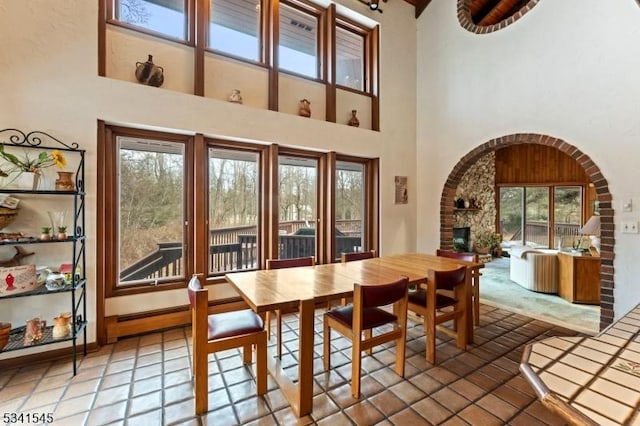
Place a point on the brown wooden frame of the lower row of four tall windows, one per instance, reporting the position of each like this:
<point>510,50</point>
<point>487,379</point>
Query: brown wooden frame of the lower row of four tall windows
<point>196,238</point>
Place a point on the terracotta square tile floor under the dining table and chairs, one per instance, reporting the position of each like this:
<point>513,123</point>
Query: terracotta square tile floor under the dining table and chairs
<point>146,380</point>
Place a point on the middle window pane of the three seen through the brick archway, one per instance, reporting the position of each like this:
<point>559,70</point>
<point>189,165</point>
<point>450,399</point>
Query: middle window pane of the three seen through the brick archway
<point>537,217</point>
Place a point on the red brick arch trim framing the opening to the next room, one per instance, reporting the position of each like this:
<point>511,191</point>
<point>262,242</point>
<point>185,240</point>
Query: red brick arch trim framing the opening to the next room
<point>596,177</point>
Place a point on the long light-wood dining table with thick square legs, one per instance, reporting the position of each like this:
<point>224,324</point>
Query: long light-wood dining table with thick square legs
<point>307,286</point>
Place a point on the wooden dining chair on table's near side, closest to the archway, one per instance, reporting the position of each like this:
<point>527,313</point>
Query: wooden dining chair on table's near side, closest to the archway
<point>444,289</point>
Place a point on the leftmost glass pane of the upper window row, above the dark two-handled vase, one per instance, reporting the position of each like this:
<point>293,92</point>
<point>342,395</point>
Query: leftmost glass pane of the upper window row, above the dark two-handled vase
<point>163,16</point>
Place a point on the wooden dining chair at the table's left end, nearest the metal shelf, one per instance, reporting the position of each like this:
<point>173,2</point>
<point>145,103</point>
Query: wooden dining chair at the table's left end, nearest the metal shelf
<point>220,332</point>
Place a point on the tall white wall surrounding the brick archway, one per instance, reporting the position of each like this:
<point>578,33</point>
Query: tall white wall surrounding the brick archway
<point>569,69</point>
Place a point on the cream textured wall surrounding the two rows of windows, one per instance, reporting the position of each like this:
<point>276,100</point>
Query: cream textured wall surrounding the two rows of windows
<point>49,82</point>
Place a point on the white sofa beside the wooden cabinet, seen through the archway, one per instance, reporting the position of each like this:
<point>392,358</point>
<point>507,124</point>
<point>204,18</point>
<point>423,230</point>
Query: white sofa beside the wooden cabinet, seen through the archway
<point>534,269</point>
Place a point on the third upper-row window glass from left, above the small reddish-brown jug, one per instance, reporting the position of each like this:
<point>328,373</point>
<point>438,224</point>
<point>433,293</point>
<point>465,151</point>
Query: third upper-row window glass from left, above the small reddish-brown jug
<point>298,49</point>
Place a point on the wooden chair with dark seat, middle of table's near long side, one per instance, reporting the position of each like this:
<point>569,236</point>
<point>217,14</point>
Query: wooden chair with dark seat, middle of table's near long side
<point>365,314</point>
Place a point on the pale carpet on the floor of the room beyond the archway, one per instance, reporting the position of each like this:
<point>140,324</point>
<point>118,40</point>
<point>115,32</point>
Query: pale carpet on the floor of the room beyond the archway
<point>496,289</point>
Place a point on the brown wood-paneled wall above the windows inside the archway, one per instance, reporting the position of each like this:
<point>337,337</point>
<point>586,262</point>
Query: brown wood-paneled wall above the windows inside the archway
<point>530,164</point>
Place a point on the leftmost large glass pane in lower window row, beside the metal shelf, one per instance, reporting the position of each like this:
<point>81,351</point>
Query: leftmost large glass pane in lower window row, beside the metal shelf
<point>151,202</point>
